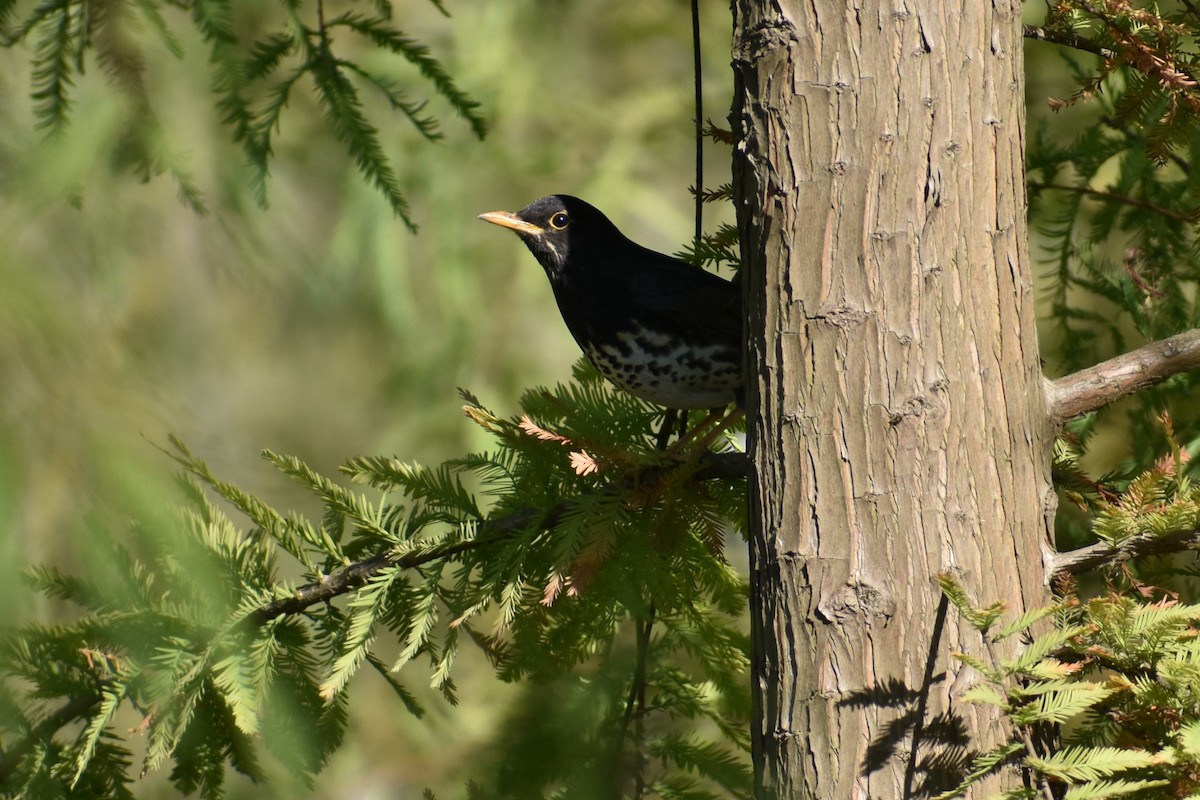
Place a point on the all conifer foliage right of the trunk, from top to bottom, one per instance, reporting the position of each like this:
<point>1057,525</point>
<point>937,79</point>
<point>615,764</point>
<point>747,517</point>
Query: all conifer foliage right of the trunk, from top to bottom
<point>1101,700</point>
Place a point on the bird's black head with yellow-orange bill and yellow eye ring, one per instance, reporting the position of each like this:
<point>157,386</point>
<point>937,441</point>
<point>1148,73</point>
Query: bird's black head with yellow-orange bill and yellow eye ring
<point>561,230</point>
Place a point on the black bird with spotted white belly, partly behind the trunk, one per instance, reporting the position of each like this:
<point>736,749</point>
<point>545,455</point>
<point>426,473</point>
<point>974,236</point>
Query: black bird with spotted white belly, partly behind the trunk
<point>658,328</point>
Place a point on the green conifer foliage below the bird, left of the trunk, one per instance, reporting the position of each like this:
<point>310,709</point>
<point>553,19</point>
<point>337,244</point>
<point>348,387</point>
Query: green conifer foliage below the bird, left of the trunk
<point>574,554</point>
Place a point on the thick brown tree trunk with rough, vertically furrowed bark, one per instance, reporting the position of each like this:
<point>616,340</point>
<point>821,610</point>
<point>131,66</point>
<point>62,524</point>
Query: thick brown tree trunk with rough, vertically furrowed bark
<point>898,426</point>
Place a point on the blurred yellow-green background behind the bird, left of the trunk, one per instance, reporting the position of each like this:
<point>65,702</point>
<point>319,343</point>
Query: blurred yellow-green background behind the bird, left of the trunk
<point>320,327</point>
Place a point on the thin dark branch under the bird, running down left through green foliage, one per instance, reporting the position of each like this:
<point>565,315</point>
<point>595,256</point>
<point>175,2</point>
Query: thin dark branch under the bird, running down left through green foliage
<point>725,466</point>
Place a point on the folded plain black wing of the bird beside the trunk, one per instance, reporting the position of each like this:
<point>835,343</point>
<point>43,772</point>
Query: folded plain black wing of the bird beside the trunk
<point>688,298</point>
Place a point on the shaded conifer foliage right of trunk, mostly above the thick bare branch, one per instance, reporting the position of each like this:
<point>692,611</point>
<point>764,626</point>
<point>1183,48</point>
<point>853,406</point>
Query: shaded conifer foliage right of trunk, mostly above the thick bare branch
<point>1115,203</point>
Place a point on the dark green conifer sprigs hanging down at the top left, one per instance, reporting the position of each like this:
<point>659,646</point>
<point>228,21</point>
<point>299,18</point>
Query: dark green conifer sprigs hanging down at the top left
<point>254,79</point>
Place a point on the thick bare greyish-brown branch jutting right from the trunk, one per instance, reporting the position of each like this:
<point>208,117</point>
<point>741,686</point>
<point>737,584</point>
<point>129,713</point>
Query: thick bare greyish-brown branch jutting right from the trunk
<point>1111,381</point>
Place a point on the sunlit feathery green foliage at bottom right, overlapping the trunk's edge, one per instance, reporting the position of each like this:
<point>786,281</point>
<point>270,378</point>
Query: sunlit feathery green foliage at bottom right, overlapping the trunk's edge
<point>1107,688</point>
